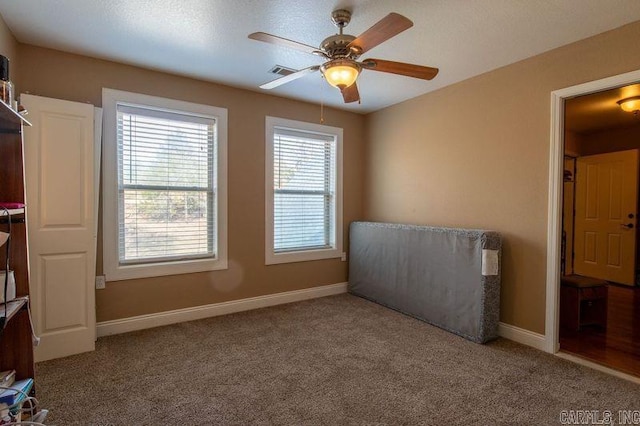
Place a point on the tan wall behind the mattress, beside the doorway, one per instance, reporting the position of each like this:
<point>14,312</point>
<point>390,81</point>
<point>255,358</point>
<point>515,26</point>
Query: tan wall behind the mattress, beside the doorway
<point>476,154</point>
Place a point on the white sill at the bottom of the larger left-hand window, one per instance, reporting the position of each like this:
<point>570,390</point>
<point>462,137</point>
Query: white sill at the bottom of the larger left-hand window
<point>150,270</point>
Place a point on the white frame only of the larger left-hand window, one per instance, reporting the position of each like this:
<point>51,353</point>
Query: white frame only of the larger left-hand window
<point>113,269</point>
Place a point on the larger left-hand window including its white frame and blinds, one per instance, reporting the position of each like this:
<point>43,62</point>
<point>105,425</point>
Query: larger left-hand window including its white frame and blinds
<point>164,186</point>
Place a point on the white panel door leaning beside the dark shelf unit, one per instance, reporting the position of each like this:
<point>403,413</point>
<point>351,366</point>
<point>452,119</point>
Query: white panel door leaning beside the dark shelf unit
<point>59,174</point>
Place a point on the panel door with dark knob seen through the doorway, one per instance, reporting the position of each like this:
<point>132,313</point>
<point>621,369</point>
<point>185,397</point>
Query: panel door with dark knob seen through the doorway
<point>605,222</point>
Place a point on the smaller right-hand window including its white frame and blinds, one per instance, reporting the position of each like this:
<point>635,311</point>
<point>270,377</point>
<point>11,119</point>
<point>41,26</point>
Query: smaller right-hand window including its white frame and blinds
<point>304,191</point>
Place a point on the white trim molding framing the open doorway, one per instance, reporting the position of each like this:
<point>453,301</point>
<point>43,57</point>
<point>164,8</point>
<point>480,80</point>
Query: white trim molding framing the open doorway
<point>554,217</point>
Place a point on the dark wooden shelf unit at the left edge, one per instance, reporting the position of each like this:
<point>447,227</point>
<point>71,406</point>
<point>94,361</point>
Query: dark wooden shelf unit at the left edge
<point>16,346</point>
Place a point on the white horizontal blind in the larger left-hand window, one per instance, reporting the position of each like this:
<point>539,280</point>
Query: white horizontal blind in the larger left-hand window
<point>166,185</point>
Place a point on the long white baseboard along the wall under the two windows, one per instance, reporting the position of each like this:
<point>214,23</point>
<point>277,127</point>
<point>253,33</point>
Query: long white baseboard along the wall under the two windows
<point>124,325</point>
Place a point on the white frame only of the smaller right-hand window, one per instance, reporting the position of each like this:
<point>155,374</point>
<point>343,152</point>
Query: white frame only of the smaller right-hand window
<point>271,257</point>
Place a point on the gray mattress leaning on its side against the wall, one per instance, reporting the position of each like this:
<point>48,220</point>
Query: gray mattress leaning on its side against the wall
<point>447,277</point>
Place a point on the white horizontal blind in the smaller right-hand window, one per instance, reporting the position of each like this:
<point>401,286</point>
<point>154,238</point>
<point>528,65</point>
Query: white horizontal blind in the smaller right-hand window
<point>304,190</point>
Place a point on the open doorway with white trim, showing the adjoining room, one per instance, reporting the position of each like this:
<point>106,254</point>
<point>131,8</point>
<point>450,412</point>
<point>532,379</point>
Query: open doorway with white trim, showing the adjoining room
<point>593,302</point>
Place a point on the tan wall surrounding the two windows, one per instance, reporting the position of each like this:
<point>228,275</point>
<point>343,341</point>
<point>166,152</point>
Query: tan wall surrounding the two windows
<point>59,75</point>
